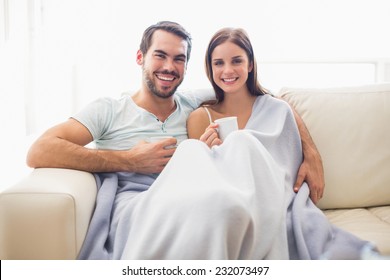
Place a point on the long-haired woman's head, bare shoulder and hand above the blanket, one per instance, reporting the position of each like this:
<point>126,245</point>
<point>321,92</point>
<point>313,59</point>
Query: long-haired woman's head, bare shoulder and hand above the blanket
<point>232,70</point>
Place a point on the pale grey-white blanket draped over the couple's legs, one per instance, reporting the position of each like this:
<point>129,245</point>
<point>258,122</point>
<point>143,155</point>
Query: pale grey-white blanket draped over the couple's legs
<point>234,201</point>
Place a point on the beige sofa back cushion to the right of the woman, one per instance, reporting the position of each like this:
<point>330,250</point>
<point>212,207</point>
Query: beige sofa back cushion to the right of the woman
<point>351,128</point>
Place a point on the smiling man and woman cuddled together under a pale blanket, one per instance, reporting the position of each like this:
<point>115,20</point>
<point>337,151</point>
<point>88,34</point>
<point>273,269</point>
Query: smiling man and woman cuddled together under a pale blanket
<point>241,199</point>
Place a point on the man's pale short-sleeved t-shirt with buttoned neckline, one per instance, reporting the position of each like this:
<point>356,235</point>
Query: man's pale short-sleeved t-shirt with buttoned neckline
<point>119,124</point>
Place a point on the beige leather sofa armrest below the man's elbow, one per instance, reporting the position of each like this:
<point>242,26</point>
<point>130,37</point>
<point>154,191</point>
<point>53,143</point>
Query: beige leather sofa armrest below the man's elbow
<point>47,214</point>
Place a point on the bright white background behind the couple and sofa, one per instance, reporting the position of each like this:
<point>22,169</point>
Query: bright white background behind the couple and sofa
<point>54,59</point>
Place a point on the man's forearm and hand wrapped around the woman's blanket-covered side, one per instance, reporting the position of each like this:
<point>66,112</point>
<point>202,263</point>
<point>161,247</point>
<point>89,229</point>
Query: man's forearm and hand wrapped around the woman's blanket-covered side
<point>311,169</point>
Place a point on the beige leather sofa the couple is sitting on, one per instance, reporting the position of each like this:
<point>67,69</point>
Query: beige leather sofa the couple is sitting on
<point>46,215</point>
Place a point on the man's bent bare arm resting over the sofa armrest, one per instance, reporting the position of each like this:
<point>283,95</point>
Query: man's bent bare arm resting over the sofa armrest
<point>63,147</point>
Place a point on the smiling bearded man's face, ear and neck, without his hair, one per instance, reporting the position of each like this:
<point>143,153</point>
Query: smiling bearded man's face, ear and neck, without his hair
<point>163,65</point>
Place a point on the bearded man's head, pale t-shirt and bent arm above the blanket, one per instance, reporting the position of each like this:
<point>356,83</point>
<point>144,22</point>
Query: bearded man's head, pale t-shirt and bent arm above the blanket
<point>120,128</point>
